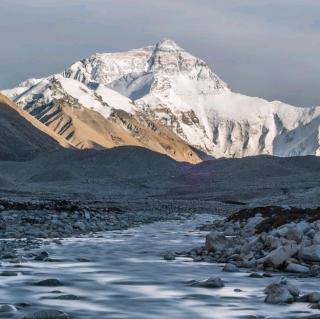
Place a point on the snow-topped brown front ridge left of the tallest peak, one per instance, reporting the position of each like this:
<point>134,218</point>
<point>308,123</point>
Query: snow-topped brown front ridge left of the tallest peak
<point>100,118</point>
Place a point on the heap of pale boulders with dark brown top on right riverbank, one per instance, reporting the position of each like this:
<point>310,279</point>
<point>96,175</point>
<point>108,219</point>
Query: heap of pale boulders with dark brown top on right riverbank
<point>265,239</point>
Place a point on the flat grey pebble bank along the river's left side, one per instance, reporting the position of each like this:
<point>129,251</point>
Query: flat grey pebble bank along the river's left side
<point>26,225</point>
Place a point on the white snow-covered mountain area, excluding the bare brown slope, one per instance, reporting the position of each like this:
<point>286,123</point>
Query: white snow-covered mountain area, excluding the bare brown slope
<point>168,86</point>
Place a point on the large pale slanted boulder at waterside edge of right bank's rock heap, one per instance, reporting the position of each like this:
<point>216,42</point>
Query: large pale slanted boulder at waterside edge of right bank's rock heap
<point>280,255</point>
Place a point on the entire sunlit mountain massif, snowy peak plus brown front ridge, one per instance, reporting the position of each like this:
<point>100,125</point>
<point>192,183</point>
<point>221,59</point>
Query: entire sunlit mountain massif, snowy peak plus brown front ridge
<point>163,98</point>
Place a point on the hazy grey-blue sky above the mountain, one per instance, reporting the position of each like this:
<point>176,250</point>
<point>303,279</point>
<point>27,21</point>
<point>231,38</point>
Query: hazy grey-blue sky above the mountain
<point>266,48</point>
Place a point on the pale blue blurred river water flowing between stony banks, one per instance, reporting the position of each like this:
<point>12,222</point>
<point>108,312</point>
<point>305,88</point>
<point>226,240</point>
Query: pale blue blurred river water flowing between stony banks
<point>121,274</point>
